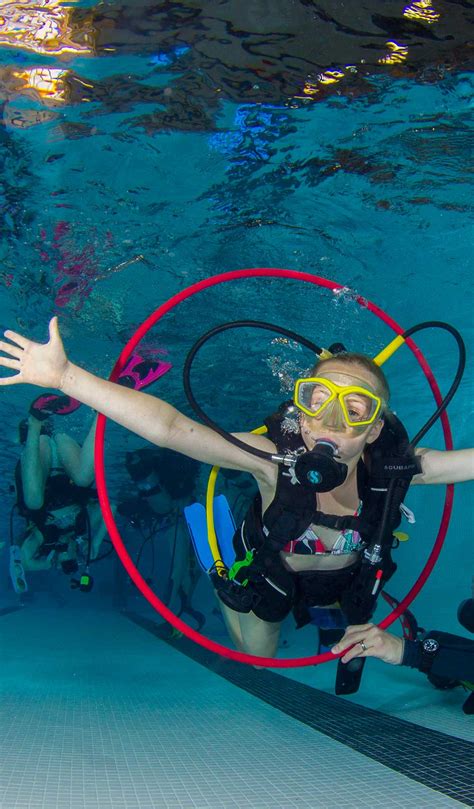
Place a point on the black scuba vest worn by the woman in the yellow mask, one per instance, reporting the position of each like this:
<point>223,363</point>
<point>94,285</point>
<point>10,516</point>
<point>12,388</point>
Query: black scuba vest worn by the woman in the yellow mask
<point>382,478</point>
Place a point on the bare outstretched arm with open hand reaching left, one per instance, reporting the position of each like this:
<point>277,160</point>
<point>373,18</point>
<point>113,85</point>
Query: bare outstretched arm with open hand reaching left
<point>151,418</point>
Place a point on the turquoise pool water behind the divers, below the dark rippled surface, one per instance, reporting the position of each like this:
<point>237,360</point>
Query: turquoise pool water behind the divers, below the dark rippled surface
<point>145,172</point>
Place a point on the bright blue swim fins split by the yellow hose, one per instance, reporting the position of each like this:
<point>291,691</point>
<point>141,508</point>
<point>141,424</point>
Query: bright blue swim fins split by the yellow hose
<point>224,524</point>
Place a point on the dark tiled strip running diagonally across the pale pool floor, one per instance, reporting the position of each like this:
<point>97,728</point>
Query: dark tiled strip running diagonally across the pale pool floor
<point>434,759</point>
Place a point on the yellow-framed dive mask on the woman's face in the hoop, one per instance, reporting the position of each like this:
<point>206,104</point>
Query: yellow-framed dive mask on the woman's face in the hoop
<point>316,396</point>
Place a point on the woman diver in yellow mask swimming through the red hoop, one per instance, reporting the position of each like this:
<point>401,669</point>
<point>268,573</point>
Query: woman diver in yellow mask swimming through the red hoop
<point>301,554</point>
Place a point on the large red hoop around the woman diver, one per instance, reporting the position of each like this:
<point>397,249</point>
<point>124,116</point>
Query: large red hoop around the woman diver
<point>127,562</point>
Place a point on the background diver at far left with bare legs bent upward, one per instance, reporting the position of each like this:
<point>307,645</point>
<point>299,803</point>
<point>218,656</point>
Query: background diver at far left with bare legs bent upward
<point>53,482</point>
